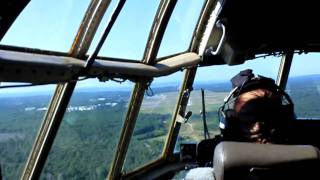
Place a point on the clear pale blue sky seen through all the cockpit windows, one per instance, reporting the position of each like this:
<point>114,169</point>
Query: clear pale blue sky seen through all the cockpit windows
<point>52,25</point>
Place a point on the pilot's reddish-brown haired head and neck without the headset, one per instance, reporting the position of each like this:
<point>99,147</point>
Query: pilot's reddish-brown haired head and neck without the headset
<point>256,110</point>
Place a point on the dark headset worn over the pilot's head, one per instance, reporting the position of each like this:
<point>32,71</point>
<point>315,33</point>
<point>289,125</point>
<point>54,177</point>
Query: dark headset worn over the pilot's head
<point>230,120</point>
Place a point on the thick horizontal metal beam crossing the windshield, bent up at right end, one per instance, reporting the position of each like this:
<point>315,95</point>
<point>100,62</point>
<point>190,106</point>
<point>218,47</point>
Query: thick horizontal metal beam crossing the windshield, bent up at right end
<point>34,68</point>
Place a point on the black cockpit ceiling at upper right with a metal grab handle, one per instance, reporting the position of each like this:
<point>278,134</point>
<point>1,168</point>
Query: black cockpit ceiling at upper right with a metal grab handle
<point>247,29</point>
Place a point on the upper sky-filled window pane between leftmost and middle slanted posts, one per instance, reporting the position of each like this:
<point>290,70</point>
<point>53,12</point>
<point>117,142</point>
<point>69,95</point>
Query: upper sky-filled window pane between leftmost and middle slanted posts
<point>129,34</point>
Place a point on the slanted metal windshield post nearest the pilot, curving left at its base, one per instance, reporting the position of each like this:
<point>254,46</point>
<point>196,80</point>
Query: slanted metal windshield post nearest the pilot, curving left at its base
<point>167,152</point>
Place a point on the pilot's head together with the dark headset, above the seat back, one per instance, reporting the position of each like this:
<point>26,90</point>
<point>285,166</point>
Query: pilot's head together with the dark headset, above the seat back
<point>257,110</point>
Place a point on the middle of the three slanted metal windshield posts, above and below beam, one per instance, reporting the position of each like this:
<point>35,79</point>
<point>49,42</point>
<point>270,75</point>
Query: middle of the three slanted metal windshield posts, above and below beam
<point>156,34</point>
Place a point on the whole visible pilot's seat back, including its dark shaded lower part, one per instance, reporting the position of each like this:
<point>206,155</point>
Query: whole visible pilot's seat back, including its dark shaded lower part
<point>241,160</point>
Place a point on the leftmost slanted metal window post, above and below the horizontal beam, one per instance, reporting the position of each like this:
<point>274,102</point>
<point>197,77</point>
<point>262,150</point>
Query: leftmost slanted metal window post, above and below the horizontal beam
<point>63,92</point>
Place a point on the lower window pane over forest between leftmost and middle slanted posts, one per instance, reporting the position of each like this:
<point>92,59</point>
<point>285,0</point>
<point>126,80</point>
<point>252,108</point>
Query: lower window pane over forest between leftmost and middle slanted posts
<point>86,140</point>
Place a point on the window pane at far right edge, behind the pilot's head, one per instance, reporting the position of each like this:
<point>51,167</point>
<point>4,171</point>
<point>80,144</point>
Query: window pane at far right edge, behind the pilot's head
<point>304,85</point>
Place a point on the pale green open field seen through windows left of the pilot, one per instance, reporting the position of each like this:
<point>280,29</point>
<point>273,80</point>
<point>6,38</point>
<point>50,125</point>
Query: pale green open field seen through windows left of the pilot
<point>193,130</point>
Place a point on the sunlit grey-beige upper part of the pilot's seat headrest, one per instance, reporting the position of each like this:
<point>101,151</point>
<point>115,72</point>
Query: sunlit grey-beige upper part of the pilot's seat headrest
<point>232,155</point>
